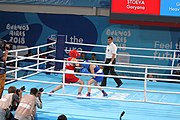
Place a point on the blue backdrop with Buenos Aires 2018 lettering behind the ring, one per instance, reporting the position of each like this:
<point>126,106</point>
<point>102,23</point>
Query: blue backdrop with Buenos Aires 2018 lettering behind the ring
<point>31,29</point>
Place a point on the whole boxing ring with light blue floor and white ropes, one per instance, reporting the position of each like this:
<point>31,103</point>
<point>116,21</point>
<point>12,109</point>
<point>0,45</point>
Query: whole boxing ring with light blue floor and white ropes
<point>139,96</point>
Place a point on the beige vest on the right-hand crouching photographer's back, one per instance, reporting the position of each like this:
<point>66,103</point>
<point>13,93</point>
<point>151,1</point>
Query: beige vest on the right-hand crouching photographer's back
<point>26,106</point>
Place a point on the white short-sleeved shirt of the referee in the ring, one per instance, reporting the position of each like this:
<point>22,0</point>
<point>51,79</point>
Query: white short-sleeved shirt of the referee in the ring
<point>110,50</point>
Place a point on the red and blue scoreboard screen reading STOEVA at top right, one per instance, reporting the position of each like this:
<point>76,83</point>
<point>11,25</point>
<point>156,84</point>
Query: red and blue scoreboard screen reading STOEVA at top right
<point>146,12</point>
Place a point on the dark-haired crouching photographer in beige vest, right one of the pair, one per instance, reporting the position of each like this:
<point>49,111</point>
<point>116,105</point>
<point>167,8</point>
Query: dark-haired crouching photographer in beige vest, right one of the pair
<point>27,107</point>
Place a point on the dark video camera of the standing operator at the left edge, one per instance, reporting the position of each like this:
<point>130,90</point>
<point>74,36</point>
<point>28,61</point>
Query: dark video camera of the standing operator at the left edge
<point>5,45</point>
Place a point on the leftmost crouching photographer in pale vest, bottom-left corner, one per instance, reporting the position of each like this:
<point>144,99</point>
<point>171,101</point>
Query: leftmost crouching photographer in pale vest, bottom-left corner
<point>8,102</point>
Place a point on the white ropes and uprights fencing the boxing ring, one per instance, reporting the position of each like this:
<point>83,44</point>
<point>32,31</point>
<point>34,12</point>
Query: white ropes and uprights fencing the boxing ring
<point>143,77</point>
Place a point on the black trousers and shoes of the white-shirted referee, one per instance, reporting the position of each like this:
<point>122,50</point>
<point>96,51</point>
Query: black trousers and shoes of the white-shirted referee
<point>110,69</point>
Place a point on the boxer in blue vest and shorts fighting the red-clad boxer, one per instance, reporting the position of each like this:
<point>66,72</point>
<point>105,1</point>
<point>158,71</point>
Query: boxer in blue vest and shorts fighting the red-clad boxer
<point>93,69</point>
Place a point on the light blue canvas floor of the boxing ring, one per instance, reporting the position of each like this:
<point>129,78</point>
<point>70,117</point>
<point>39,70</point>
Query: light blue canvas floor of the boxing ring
<point>104,109</point>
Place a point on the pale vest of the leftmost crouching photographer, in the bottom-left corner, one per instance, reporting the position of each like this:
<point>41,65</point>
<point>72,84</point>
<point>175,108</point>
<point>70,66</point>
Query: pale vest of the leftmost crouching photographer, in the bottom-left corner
<point>6,101</point>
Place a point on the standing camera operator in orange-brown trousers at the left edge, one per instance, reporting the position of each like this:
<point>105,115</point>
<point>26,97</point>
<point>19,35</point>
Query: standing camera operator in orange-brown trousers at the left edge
<point>3,58</point>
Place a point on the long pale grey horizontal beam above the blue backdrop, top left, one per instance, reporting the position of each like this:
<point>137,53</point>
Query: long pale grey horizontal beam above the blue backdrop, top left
<point>55,9</point>
